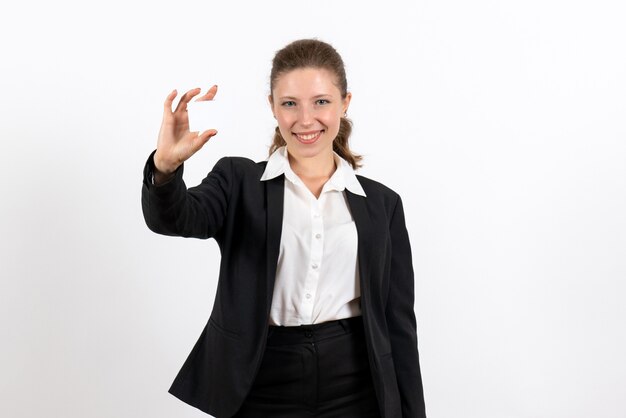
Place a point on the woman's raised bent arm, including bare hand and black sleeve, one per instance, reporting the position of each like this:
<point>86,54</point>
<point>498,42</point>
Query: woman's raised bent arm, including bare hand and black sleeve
<point>168,207</point>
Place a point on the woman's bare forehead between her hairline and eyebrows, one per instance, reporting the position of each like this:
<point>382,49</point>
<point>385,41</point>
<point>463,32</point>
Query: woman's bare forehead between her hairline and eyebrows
<point>306,81</point>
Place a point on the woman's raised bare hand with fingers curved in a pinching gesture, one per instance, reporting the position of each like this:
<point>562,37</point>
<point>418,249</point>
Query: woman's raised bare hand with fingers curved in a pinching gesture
<point>176,143</point>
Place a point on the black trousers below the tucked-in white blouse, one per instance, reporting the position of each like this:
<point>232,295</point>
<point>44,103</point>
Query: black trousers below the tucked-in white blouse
<point>316,370</point>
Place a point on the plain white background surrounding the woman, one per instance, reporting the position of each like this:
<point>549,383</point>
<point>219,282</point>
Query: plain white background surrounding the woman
<point>500,123</point>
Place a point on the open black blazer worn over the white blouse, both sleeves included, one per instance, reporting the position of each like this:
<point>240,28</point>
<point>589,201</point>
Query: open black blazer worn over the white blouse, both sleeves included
<point>244,215</point>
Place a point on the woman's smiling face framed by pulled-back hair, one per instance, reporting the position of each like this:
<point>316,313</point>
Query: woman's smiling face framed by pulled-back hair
<point>308,107</point>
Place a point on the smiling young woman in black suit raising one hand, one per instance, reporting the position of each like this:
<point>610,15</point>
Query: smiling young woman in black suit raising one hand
<point>313,315</point>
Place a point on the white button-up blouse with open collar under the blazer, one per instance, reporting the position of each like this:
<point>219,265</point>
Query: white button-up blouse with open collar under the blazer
<point>317,277</point>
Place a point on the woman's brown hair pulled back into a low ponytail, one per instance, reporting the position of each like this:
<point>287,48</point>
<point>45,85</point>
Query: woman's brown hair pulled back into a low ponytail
<point>311,53</point>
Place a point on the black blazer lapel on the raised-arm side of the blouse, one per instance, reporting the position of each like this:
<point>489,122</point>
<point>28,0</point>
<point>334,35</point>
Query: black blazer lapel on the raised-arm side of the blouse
<point>275,200</point>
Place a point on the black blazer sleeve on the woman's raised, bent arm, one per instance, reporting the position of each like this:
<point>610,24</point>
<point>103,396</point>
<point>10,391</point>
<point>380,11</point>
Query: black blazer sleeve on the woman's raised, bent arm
<point>198,212</point>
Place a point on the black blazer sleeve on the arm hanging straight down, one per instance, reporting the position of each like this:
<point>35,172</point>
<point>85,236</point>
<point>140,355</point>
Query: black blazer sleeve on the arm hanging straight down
<point>401,318</point>
